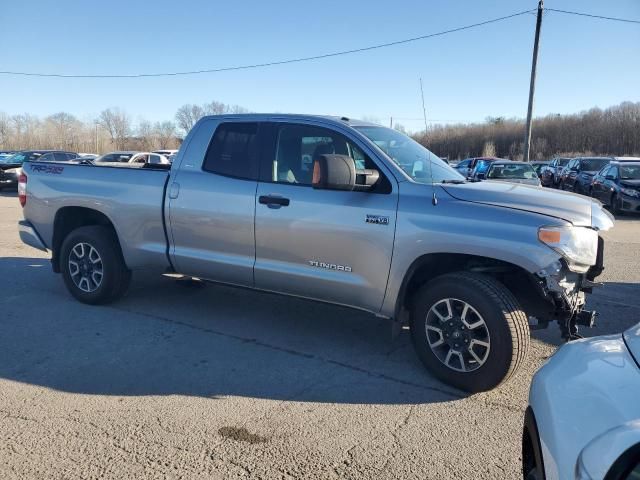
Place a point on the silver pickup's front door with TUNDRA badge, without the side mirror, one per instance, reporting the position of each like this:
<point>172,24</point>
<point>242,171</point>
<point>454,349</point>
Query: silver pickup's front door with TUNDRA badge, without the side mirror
<point>323,244</point>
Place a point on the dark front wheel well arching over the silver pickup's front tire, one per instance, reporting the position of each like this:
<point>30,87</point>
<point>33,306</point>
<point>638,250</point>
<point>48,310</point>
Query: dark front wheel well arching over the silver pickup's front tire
<point>515,278</point>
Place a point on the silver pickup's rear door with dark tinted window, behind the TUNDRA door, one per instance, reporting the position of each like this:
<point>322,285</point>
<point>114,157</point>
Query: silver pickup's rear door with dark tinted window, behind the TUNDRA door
<point>212,203</point>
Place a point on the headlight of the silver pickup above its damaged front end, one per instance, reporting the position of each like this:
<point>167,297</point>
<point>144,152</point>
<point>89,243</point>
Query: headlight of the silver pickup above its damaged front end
<point>579,245</point>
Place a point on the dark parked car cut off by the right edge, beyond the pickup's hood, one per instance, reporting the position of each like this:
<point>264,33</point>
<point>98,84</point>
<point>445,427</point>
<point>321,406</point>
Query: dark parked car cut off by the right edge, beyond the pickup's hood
<point>617,186</point>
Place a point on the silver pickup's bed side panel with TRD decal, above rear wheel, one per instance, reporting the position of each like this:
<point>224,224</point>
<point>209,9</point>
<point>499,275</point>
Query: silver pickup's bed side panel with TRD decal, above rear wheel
<point>130,198</point>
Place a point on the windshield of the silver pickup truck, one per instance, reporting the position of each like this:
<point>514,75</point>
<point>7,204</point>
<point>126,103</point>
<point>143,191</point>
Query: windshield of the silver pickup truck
<point>415,160</point>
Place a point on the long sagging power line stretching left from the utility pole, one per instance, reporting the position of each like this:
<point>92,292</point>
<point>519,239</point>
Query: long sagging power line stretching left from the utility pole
<point>273,63</point>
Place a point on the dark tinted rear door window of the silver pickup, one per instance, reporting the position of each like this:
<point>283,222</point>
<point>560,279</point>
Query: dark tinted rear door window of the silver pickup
<point>233,151</point>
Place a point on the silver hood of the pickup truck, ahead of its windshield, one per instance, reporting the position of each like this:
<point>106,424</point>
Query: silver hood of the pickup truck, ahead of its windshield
<point>574,208</point>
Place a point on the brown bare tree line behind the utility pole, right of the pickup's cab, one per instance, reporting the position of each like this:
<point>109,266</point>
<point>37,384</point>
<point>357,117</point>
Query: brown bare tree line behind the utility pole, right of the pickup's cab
<point>610,131</point>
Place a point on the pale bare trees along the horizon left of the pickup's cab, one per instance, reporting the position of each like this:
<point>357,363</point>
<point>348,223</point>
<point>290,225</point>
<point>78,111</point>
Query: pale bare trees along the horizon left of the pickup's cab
<point>112,129</point>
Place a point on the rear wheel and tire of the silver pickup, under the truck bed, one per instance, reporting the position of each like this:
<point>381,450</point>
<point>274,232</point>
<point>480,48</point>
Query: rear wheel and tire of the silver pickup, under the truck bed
<point>92,265</point>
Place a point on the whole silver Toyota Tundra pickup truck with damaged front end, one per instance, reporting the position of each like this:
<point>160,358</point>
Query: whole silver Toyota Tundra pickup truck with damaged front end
<point>335,210</point>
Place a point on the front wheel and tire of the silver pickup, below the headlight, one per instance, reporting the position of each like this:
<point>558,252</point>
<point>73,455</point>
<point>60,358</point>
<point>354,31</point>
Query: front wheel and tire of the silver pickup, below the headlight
<point>483,347</point>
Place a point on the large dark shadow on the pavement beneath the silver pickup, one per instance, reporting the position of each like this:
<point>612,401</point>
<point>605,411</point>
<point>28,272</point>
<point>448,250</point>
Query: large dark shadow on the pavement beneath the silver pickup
<point>166,339</point>
